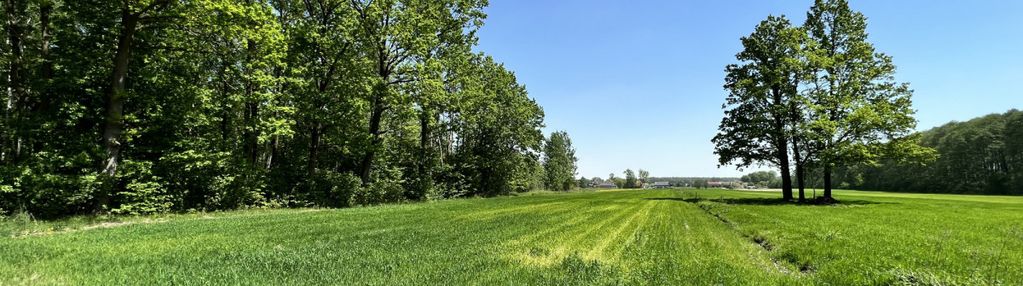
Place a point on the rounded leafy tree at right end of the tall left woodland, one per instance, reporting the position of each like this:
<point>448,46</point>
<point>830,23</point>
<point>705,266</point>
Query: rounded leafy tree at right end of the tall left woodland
<point>499,130</point>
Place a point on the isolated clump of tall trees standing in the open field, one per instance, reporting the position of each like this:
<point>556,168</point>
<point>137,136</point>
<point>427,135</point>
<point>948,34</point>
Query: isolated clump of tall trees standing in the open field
<point>815,99</point>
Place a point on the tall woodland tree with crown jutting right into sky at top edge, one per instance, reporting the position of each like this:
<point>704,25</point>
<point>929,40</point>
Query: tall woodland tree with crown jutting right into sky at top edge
<point>401,35</point>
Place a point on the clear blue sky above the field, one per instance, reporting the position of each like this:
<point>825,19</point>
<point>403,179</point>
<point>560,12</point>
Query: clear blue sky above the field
<point>638,84</point>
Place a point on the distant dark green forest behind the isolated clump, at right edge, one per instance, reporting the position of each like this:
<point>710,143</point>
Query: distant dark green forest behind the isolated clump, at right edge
<point>984,156</point>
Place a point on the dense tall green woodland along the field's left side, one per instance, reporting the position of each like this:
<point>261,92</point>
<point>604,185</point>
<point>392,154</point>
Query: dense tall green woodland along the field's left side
<point>135,107</point>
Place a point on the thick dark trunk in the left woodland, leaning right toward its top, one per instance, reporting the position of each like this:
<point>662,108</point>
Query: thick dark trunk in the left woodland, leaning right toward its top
<point>113,125</point>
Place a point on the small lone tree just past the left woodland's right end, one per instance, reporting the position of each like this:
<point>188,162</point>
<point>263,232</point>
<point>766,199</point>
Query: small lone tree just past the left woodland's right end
<point>559,162</point>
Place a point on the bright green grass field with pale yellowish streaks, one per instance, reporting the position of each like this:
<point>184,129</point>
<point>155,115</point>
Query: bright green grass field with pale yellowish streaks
<point>607,237</point>
